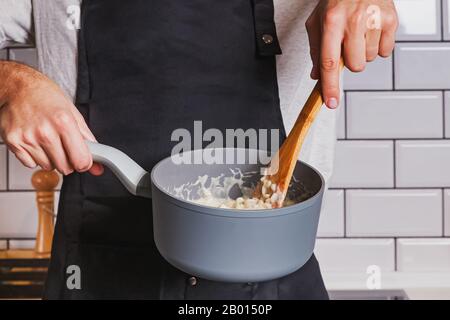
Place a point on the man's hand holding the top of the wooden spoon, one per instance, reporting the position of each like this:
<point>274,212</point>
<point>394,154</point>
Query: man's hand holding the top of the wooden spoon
<point>362,29</point>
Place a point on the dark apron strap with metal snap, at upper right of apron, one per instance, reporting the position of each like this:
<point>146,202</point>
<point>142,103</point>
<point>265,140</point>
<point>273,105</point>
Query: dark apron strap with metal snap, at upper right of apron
<point>265,30</point>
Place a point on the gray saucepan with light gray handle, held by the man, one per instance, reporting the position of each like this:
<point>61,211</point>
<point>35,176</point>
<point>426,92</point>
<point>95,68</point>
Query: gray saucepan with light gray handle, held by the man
<point>218,244</point>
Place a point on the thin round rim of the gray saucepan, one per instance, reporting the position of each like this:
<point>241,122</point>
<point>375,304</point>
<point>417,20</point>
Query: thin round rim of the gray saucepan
<point>235,213</point>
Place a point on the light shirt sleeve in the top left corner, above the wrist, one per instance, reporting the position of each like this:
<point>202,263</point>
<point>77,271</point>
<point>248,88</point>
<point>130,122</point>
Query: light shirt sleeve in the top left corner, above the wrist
<point>16,22</point>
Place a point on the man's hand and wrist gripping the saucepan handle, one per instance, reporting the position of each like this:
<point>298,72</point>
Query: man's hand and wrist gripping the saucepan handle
<point>40,125</point>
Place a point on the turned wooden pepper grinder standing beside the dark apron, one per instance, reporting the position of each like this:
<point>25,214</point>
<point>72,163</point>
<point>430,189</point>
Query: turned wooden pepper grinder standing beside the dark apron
<point>45,183</point>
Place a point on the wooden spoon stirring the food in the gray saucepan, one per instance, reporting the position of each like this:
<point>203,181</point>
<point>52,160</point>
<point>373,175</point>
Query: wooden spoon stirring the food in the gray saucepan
<point>283,163</point>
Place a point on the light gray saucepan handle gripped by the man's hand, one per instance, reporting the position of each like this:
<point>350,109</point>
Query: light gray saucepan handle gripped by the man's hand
<point>132,175</point>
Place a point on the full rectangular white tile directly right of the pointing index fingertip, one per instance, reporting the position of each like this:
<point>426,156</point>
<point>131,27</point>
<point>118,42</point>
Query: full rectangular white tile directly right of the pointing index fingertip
<point>376,115</point>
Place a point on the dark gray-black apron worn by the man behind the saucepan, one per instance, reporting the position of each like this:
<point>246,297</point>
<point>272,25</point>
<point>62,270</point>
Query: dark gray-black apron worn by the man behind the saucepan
<point>146,68</point>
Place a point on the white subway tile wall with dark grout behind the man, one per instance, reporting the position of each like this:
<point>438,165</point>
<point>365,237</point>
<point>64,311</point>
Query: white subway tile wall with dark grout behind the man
<point>392,173</point>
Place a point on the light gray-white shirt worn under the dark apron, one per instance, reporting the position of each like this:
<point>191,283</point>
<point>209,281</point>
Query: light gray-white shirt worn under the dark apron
<point>52,25</point>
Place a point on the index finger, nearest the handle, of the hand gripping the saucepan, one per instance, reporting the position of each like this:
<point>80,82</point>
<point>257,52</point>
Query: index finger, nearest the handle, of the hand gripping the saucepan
<point>76,148</point>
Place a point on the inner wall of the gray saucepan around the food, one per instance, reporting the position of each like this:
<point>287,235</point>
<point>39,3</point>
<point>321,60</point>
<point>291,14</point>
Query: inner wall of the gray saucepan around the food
<point>180,179</point>
